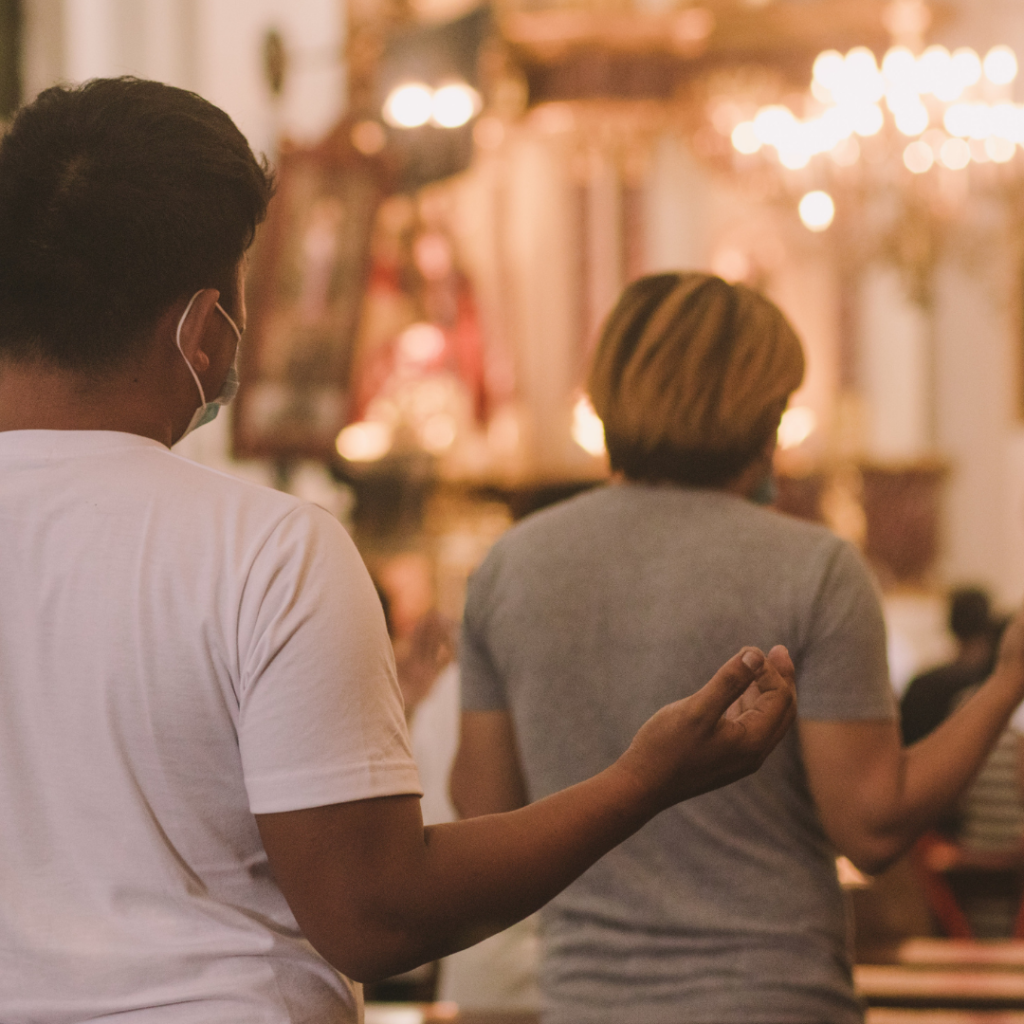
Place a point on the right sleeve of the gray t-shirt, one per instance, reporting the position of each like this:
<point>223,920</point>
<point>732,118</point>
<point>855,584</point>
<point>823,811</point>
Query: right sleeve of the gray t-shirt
<point>842,671</point>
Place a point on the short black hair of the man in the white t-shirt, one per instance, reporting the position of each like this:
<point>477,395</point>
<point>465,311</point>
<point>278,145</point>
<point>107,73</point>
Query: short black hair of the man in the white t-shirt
<point>118,198</point>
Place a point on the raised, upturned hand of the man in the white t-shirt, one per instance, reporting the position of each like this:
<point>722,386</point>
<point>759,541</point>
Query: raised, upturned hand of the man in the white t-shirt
<point>721,734</point>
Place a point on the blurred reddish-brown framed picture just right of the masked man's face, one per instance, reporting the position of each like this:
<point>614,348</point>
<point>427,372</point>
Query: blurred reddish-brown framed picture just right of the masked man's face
<point>306,290</point>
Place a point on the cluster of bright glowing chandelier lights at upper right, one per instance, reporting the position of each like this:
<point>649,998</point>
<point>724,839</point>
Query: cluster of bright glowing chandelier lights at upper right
<point>943,115</point>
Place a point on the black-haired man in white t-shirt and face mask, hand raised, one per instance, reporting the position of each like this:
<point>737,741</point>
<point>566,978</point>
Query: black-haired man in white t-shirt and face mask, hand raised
<point>203,755</point>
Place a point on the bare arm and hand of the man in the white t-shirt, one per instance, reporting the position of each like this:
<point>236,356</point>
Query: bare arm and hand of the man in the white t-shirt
<point>377,893</point>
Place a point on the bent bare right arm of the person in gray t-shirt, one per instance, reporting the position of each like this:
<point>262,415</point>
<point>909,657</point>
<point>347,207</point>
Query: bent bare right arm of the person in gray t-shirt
<point>875,797</point>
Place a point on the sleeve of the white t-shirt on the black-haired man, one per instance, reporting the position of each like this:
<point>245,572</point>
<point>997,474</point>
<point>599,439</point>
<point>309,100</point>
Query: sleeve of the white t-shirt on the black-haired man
<point>321,717</point>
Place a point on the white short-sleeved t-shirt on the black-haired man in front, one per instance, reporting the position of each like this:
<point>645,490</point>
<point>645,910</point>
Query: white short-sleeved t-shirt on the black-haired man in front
<point>179,651</point>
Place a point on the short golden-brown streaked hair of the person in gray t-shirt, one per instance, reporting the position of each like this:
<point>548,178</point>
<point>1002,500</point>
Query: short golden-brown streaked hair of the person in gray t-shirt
<point>691,377</point>
